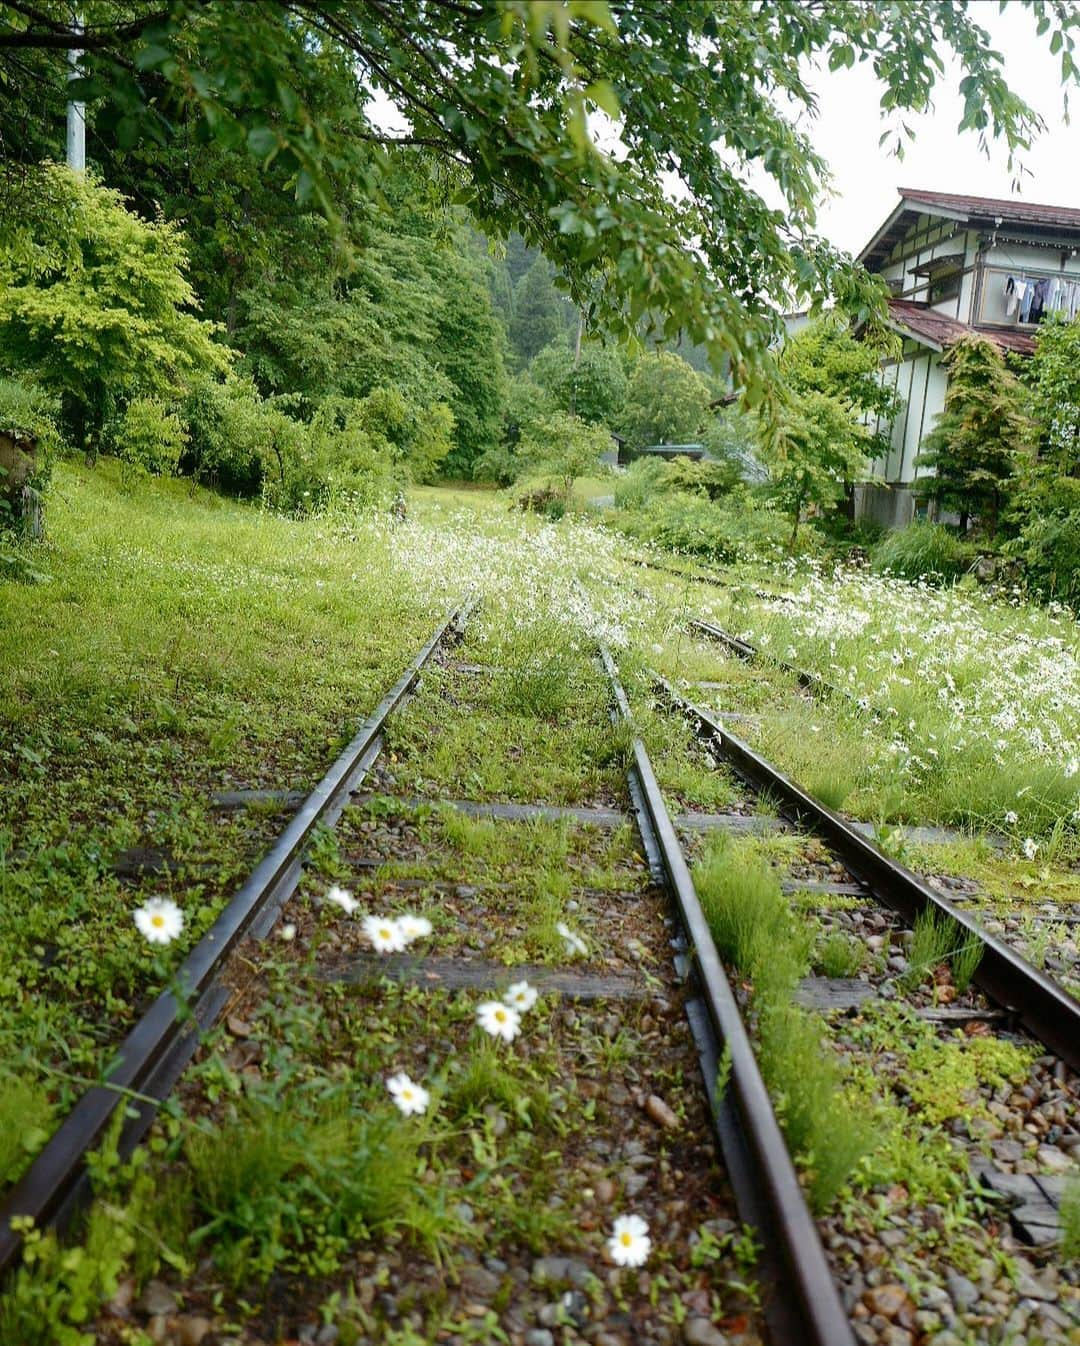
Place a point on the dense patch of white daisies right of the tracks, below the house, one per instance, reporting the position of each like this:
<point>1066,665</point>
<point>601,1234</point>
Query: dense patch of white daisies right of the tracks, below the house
<point>946,670</point>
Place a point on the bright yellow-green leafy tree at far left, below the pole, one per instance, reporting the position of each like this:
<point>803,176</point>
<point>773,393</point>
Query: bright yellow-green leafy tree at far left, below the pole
<point>95,302</point>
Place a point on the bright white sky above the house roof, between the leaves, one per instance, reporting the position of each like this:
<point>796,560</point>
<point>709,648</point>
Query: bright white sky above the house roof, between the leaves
<point>939,160</point>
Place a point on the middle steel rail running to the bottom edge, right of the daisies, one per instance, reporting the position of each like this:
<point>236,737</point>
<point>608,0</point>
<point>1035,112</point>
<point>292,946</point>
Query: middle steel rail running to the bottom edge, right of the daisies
<point>806,1308</point>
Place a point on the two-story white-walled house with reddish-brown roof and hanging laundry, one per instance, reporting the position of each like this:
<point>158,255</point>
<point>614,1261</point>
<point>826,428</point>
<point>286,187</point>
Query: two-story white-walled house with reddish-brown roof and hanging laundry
<point>955,266</point>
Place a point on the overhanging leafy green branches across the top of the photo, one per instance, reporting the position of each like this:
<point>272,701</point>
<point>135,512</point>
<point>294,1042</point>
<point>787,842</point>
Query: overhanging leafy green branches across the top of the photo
<point>500,94</point>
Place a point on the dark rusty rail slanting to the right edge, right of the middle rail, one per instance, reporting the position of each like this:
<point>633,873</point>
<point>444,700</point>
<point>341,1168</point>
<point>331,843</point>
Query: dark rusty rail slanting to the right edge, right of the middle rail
<point>1046,1009</point>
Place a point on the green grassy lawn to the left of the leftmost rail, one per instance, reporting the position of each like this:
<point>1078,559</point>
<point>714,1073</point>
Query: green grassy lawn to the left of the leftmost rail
<point>147,674</point>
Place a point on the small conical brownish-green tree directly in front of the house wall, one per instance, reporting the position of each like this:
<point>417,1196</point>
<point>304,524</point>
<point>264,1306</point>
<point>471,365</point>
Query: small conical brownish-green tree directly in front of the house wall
<point>981,435</point>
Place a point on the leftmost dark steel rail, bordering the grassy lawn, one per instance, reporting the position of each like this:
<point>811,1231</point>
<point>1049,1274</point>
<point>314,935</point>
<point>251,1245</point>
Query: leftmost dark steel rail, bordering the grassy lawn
<point>160,1047</point>
